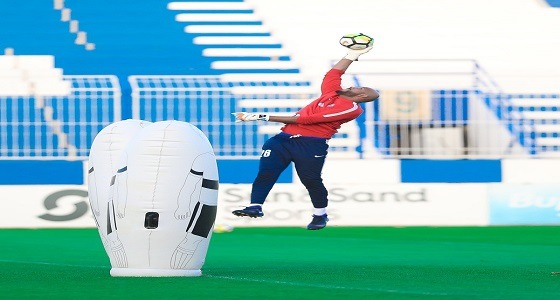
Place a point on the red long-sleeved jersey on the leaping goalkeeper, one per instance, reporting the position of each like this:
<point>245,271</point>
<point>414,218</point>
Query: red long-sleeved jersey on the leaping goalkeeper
<point>322,117</point>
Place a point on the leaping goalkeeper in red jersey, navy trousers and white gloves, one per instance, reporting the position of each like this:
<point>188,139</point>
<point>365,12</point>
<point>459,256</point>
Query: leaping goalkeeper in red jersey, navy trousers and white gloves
<point>304,140</point>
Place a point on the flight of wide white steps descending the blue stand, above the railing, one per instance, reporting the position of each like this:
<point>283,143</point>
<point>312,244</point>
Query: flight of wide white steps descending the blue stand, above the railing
<point>233,36</point>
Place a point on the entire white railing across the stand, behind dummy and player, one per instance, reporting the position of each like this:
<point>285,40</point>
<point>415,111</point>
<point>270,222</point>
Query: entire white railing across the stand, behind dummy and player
<point>425,111</point>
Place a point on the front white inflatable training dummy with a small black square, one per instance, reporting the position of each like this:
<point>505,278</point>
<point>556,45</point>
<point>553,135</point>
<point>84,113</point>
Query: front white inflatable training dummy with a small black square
<point>163,202</point>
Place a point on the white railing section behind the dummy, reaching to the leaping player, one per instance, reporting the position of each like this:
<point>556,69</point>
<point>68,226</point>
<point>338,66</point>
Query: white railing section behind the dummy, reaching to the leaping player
<point>208,101</point>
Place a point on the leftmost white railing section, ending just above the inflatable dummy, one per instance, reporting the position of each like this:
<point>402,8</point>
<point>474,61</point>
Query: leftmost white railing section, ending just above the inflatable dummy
<point>63,126</point>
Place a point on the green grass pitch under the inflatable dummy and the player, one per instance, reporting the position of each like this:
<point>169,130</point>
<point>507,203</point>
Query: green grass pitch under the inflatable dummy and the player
<point>293,263</point>
